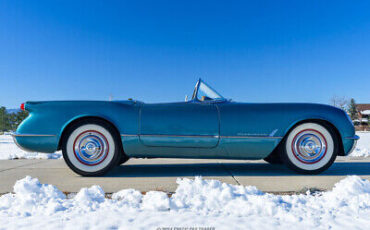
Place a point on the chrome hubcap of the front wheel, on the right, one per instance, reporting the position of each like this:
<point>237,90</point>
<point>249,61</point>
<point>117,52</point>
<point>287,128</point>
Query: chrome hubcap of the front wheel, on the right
<point>309,146</point>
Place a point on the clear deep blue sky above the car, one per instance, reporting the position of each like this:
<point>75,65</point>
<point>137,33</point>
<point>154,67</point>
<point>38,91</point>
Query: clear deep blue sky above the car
<point>154,51</point>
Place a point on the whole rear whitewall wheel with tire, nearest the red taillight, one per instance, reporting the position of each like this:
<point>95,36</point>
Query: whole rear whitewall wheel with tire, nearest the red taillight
<point>91,147</point>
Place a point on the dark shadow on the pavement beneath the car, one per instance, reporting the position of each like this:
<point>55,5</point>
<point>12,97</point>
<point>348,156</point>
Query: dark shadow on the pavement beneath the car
<point>227,169</point>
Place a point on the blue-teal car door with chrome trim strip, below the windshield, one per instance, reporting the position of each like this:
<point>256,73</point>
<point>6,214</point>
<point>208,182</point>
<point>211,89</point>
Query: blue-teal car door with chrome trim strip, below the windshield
<point>179,125</point>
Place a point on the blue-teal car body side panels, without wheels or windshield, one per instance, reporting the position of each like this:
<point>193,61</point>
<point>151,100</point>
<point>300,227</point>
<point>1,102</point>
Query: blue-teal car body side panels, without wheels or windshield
<point>192,129</point>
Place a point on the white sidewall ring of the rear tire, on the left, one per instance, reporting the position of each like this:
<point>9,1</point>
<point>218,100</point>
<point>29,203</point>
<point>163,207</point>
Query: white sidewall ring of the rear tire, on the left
<point>70,151</point>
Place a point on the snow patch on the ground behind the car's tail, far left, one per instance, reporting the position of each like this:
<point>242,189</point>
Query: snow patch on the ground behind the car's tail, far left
<point>9,150</point>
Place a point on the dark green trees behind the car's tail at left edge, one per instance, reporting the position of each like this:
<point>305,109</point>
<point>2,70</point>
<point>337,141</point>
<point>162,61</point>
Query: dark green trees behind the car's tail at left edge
<point>10,121</point>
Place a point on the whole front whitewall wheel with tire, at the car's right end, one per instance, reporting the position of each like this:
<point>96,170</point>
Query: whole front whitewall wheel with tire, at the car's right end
<point>310,148</point>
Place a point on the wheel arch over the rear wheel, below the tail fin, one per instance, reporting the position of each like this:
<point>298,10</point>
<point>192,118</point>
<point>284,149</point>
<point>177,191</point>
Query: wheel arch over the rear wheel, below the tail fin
<point>87,117</point>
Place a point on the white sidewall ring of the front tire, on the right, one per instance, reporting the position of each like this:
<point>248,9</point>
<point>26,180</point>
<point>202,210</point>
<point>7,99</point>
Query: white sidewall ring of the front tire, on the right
<point>329,152</point>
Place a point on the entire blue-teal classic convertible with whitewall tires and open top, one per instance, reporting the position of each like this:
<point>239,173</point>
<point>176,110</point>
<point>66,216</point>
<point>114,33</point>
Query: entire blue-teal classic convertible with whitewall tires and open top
<point>95,136</point>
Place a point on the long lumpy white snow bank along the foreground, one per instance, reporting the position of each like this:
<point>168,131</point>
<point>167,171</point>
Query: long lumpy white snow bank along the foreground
<point>196,203</point>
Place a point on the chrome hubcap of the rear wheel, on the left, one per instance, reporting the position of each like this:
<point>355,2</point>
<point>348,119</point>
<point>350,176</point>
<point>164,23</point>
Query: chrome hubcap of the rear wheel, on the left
<point>91,147</point>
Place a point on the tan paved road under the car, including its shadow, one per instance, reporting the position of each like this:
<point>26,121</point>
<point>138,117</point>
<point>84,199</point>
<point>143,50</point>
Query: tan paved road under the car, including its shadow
<point>161,174</point>
